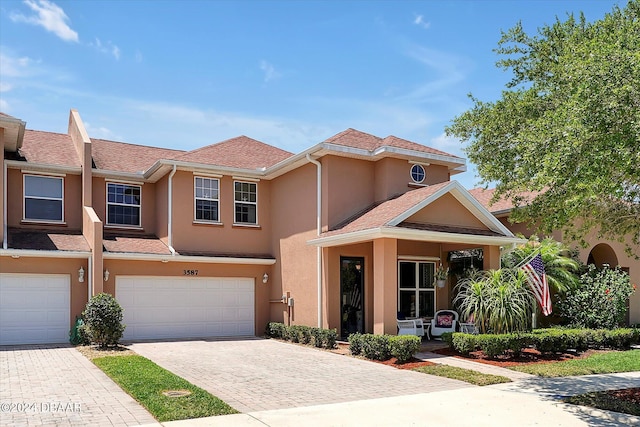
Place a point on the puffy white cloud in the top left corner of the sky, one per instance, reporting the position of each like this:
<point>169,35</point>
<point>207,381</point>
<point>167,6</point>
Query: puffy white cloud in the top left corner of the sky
<point>49,16</point>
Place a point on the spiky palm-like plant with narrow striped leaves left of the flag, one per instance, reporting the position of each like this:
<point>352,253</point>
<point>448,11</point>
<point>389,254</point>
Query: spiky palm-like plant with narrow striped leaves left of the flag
<point>499,301</point>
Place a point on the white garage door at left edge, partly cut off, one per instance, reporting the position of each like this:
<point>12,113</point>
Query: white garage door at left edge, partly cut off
<point>34,308</point>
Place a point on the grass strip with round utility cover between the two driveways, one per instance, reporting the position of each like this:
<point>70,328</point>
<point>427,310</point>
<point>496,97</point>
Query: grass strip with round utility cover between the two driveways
<point>145,381</point>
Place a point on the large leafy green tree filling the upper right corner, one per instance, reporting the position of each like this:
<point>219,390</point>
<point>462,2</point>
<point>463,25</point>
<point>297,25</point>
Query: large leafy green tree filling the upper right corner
<point>567,126</point>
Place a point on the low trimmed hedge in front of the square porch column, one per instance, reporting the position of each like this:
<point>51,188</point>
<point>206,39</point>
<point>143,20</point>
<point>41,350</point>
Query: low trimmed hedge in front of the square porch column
<point>383,347</point>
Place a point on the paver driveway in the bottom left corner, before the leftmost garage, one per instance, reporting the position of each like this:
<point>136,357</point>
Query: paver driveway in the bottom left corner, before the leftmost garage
<point>56,385</point>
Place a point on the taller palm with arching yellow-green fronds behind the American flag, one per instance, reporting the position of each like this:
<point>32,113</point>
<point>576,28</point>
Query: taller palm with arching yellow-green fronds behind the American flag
<point>560,266</point>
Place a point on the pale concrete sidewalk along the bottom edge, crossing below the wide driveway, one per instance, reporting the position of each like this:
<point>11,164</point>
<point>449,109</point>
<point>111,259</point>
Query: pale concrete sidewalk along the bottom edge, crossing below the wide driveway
<point>477,406</point>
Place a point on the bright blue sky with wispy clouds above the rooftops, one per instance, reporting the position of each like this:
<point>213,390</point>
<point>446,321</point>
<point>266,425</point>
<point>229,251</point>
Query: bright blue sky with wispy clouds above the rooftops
<point>184,74</point>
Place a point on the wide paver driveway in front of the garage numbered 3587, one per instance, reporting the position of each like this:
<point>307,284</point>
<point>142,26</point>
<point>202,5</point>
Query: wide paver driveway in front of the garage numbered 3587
<point>257,374</point>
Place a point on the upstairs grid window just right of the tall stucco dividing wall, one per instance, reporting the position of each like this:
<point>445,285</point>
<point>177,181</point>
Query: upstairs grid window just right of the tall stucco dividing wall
<point>123,204</point>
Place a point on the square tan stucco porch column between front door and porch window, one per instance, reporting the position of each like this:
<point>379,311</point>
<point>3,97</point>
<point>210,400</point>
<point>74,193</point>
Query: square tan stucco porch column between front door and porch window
<point>385,286</point>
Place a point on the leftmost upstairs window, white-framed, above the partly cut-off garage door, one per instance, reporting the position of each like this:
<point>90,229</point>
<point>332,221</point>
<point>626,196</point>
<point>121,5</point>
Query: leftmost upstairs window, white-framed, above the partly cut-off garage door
<point>43,198</point>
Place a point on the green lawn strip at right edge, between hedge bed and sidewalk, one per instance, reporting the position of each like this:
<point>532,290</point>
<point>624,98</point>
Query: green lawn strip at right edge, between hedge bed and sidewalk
<point>599,363</point>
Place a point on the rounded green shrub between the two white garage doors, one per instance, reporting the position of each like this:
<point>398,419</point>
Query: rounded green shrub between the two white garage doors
<point>103,317</point>
